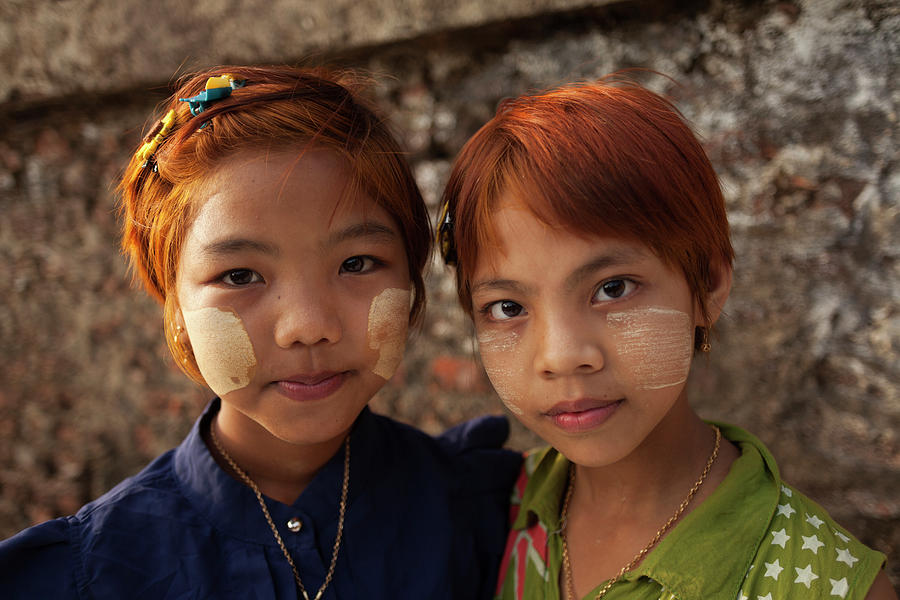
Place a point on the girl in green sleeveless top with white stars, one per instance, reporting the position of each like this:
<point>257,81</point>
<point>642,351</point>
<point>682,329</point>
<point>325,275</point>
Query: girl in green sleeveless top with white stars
<point>592,251</point>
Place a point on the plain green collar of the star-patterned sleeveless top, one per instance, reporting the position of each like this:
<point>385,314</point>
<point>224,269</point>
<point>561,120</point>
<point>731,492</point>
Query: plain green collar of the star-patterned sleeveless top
<point>735,517</point>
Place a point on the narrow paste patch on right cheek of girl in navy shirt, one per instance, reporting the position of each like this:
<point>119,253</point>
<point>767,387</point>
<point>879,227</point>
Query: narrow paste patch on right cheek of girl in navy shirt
<point>386,333</point>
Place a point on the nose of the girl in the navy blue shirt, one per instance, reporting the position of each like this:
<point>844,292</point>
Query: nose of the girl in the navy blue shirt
<point>306,315</point>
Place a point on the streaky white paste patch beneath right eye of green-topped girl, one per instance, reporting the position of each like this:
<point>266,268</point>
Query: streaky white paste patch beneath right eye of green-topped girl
<point>654,345</point>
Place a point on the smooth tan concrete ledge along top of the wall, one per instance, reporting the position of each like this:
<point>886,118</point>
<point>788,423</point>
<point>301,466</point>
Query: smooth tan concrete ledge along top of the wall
<point>51,48</point>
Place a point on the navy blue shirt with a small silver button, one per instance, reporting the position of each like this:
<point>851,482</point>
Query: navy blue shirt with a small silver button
<point>426,518</point>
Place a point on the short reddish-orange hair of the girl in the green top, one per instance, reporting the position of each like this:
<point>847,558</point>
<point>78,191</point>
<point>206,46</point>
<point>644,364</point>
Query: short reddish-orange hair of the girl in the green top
<point>604,158</point>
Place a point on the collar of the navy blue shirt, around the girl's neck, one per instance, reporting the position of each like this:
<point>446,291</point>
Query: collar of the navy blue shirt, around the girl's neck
<point>232,507</point>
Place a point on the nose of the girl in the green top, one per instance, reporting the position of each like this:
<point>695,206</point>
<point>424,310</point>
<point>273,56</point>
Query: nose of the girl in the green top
<point>568,346</point>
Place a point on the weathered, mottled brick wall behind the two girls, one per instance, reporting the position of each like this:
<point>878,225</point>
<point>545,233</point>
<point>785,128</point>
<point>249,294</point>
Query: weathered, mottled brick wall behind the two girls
<point>796,102</point>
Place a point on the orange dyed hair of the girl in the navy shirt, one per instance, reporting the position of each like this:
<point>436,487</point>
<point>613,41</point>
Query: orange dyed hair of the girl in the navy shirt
<point>278,108</point>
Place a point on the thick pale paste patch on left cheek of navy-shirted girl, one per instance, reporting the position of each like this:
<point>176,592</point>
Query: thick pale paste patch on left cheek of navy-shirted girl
<point>222,348</point>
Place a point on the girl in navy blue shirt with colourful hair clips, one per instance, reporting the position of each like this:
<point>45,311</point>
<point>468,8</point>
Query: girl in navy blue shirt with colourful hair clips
<point>273,215</point>
